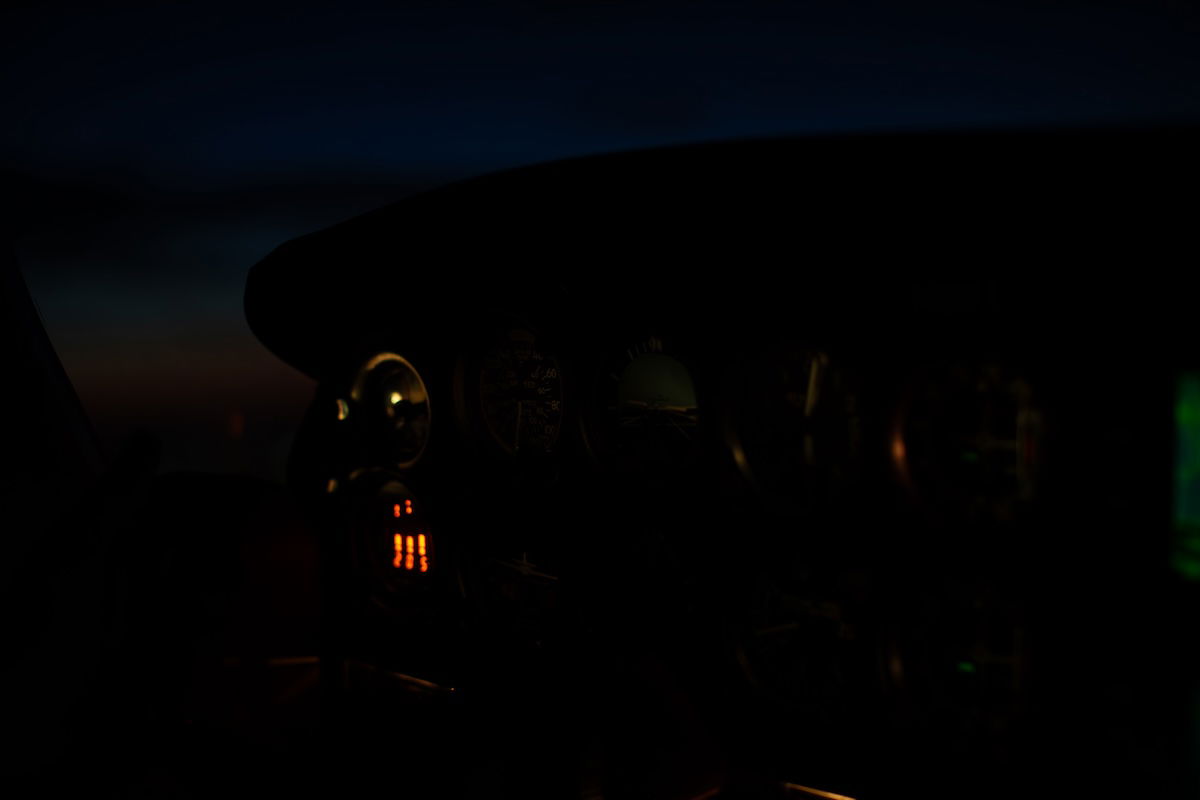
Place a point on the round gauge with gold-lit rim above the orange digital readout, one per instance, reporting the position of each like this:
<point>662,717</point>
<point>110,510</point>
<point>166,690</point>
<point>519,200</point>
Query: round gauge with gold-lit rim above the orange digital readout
<point>395,408</point>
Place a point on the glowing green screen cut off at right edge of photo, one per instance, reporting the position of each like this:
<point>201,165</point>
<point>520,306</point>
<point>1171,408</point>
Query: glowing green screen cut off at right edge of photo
<point>1186,548</point>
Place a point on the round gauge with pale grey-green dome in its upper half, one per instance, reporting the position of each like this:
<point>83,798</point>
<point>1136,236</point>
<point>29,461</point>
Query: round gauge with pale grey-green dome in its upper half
<point>652,408</point>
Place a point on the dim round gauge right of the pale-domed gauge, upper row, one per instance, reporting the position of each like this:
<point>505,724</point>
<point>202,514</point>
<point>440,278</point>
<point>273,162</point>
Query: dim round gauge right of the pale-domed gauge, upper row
<point>795,429</point>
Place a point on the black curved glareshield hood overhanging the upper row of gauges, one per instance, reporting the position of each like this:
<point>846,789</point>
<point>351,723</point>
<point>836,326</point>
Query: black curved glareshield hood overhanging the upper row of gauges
<point>869,213</point>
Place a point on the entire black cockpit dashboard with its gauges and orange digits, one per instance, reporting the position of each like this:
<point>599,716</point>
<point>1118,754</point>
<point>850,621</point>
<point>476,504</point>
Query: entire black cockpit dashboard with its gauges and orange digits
<point>820,467</point>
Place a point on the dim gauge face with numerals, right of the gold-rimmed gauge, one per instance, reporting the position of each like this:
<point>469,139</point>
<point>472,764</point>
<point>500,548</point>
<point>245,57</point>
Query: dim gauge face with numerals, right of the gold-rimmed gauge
<point>521,393</point>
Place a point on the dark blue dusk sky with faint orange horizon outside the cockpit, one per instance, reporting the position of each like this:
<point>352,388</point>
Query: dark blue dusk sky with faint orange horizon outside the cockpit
<point>155,152</point>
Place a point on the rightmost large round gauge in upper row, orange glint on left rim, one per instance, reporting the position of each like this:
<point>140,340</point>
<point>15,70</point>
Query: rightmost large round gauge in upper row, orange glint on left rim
<point>969,440</point>
